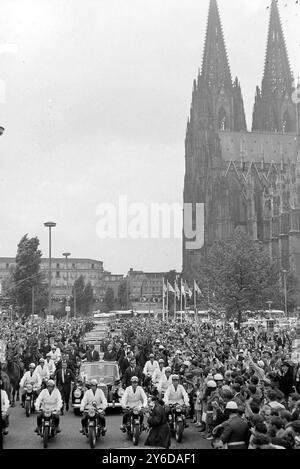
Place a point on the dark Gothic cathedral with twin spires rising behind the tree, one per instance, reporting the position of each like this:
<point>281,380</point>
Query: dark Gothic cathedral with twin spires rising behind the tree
<point>244,179</point>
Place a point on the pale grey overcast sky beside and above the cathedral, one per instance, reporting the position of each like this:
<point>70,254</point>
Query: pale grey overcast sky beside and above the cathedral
<point>94,99</point>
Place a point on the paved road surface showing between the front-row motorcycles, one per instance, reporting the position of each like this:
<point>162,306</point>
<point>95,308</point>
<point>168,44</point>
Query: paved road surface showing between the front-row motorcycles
<point>22,435</point>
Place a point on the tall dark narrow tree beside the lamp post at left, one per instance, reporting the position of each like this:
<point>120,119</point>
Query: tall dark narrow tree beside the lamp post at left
<point>27,276</point>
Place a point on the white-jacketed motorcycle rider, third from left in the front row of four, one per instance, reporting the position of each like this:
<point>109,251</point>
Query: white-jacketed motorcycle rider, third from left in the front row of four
<point>134,396</point>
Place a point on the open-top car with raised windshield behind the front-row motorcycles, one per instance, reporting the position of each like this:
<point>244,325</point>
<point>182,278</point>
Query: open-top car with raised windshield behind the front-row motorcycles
<point>108,377</point>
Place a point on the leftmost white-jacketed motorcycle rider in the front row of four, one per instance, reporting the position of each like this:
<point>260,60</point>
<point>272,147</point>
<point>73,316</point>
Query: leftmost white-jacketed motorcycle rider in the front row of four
<point>50,399</point>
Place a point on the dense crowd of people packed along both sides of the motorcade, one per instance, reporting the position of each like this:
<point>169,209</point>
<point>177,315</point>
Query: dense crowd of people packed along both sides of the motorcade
<point>240,387</point>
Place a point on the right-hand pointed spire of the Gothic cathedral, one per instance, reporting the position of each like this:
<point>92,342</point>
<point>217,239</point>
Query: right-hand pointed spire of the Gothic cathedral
<point>273,109</point>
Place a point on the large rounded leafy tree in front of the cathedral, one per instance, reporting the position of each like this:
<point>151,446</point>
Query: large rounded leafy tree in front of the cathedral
<point>241,275</point>
